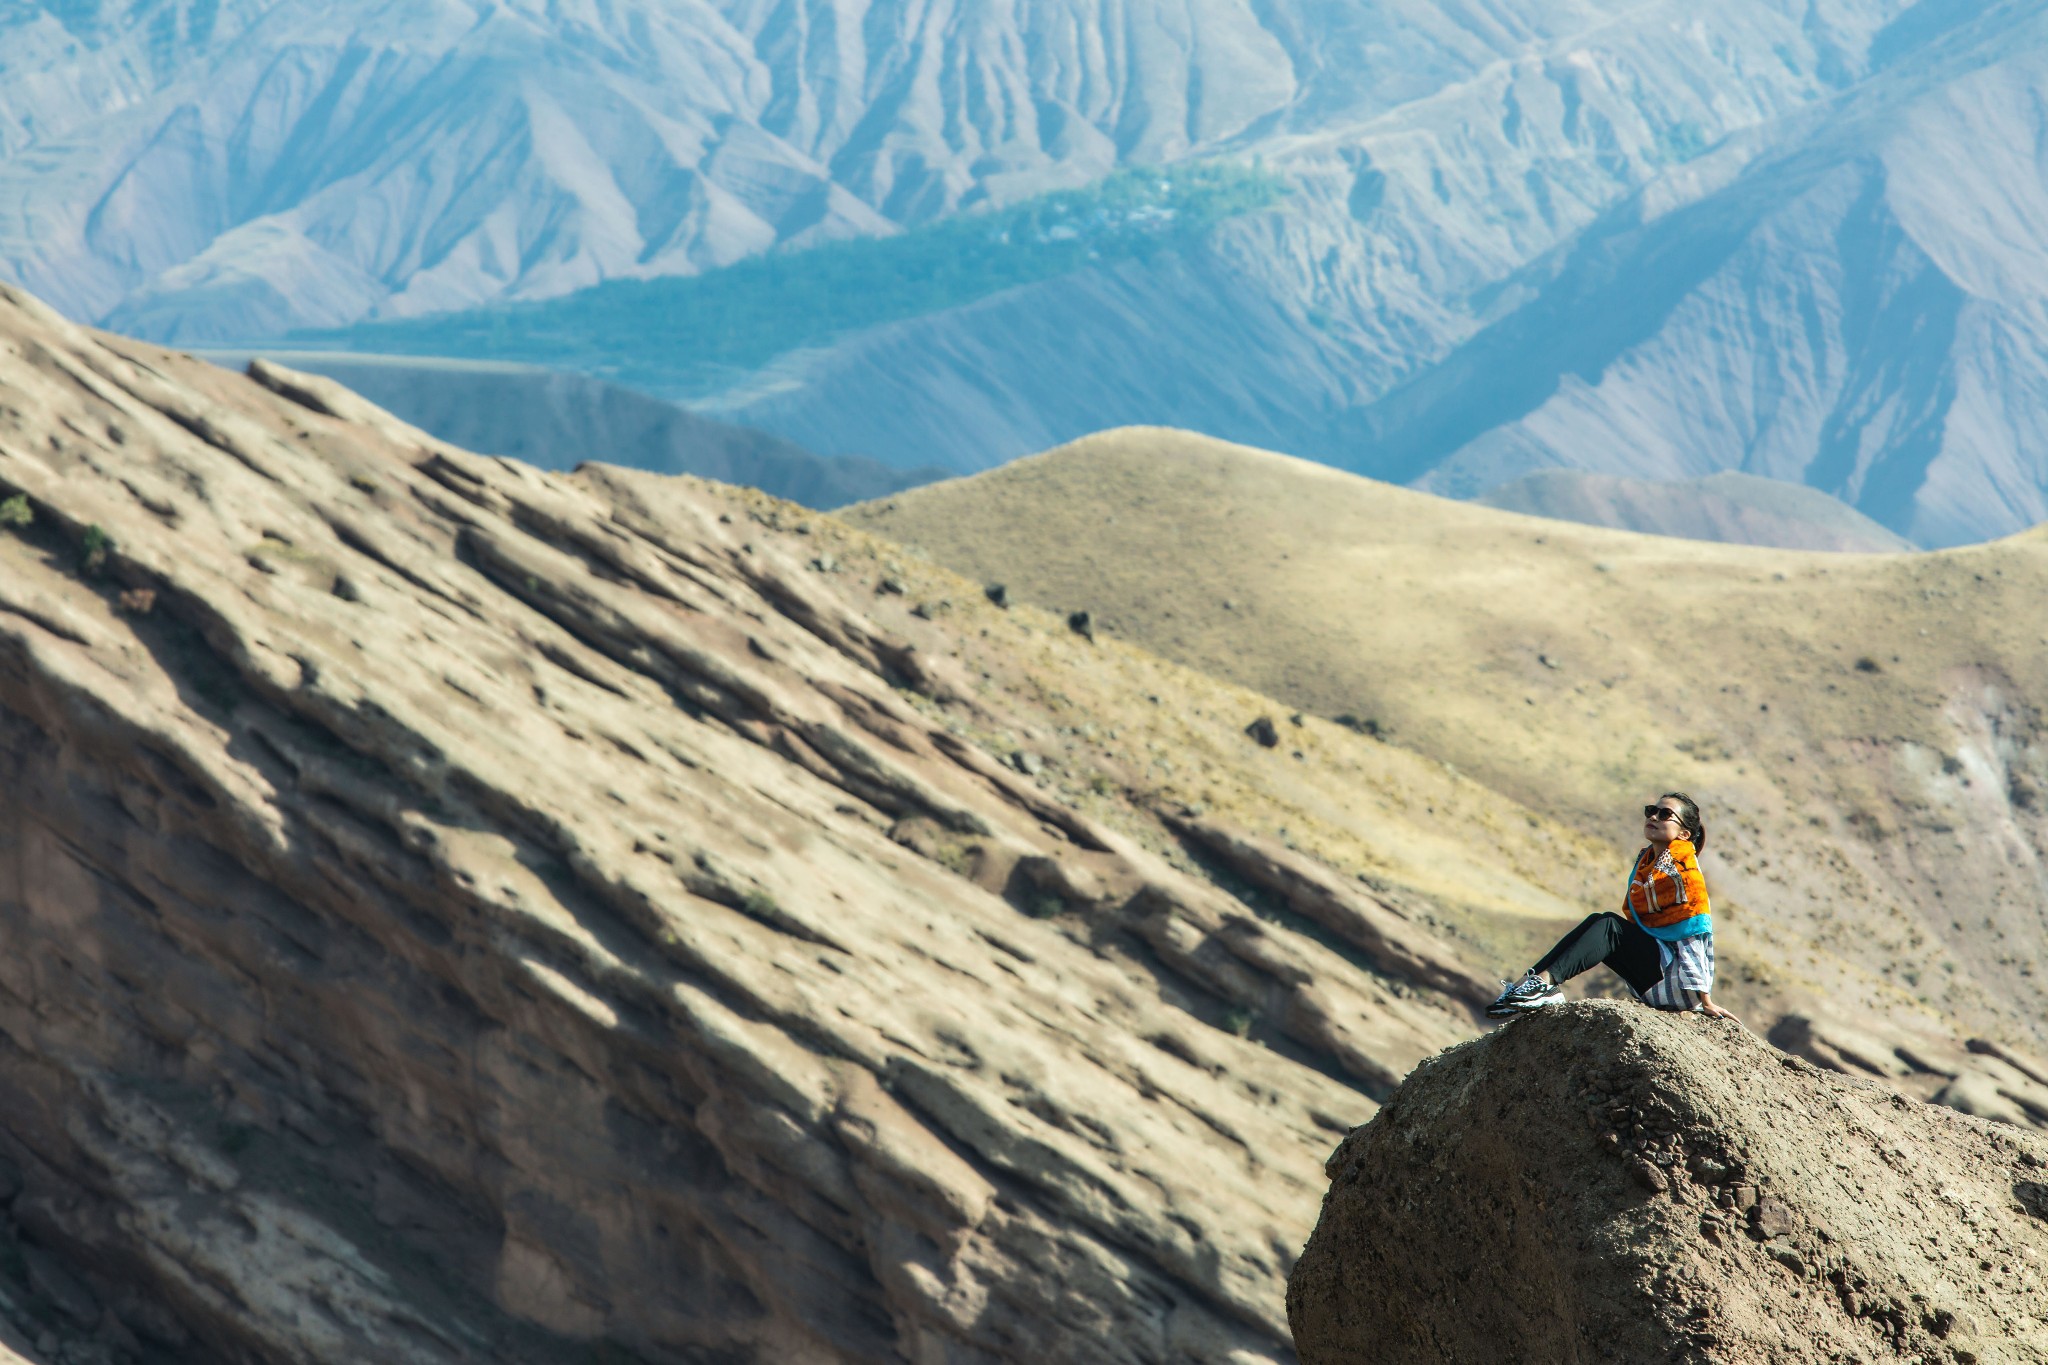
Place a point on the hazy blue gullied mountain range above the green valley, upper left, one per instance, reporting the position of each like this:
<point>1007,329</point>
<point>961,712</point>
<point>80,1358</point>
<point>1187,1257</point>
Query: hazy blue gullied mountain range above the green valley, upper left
<point>206,169</point>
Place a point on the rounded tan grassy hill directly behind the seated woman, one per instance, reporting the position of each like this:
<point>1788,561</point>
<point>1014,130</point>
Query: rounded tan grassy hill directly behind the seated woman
<point>1865,732</point>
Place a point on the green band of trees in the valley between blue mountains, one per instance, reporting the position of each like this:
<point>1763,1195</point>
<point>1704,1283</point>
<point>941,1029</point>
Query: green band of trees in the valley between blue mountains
<point>677,337</point>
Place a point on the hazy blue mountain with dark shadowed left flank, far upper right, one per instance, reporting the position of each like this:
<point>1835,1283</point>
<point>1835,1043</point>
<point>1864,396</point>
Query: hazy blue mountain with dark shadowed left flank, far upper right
<point>1865,312</point>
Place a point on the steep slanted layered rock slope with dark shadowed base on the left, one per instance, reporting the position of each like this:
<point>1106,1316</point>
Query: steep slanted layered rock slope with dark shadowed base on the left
<point>464,914</point>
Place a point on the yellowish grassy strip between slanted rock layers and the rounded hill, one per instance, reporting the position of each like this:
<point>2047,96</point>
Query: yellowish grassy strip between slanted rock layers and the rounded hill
<point>1156,750</point>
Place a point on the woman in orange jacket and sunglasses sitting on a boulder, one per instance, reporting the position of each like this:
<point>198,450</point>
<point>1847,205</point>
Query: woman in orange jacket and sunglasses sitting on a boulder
<point>1664,949</point>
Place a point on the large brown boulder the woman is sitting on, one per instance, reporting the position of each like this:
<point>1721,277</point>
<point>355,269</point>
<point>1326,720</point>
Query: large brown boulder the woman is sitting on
<point>1609,1184</point>
